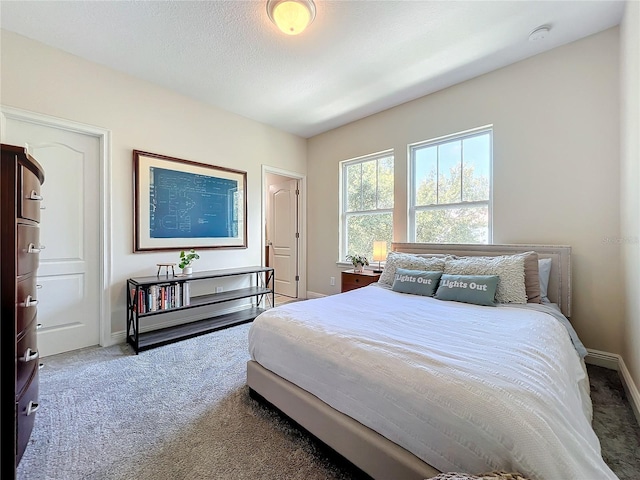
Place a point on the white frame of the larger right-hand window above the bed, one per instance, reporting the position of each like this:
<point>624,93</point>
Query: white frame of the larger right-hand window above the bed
<point>413,209</point>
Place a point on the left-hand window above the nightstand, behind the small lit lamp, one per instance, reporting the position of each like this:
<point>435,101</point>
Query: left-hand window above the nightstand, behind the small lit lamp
<point>367,203</point>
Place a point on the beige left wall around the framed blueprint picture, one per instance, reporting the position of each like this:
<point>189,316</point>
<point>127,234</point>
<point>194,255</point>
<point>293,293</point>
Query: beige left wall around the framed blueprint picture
<point>145,117</point>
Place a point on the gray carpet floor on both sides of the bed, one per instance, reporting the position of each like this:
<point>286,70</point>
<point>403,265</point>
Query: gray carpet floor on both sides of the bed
<point>183,411</point>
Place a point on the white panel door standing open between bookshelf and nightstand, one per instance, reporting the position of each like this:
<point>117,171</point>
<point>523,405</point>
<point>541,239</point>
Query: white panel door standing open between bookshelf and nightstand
<point>283,231</point>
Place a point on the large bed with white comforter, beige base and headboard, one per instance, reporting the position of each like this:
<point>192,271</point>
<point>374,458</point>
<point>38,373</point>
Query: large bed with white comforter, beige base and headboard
<point>406,386</point>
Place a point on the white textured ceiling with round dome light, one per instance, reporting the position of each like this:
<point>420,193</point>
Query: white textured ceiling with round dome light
<point>357,58</point>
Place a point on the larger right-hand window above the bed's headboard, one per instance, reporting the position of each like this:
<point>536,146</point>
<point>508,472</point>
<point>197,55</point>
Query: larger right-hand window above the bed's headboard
<point>450,189</point>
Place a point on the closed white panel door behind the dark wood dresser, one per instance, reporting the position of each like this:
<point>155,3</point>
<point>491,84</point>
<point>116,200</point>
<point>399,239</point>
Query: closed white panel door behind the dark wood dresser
<point>68,275</point>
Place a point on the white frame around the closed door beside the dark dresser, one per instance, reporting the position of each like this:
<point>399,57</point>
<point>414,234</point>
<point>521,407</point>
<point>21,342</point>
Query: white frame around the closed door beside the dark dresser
<point>104,172</point>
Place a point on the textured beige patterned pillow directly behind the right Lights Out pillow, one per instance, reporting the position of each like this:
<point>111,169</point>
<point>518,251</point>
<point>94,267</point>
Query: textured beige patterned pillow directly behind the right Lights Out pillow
<point>510,269</point>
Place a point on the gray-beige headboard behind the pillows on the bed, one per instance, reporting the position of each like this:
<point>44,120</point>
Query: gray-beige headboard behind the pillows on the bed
<point>559,290</point>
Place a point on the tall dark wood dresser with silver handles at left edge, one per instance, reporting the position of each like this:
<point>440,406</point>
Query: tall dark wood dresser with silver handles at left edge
<point>21,177</point>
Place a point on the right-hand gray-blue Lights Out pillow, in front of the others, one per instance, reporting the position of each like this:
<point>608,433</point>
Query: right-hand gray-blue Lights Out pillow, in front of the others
<point>476,289</point>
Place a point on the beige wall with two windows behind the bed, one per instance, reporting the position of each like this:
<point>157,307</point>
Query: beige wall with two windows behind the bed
<point>556,168</point>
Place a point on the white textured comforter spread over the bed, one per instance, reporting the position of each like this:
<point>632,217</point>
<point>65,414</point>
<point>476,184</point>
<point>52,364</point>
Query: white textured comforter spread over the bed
<point>463,387</point>
